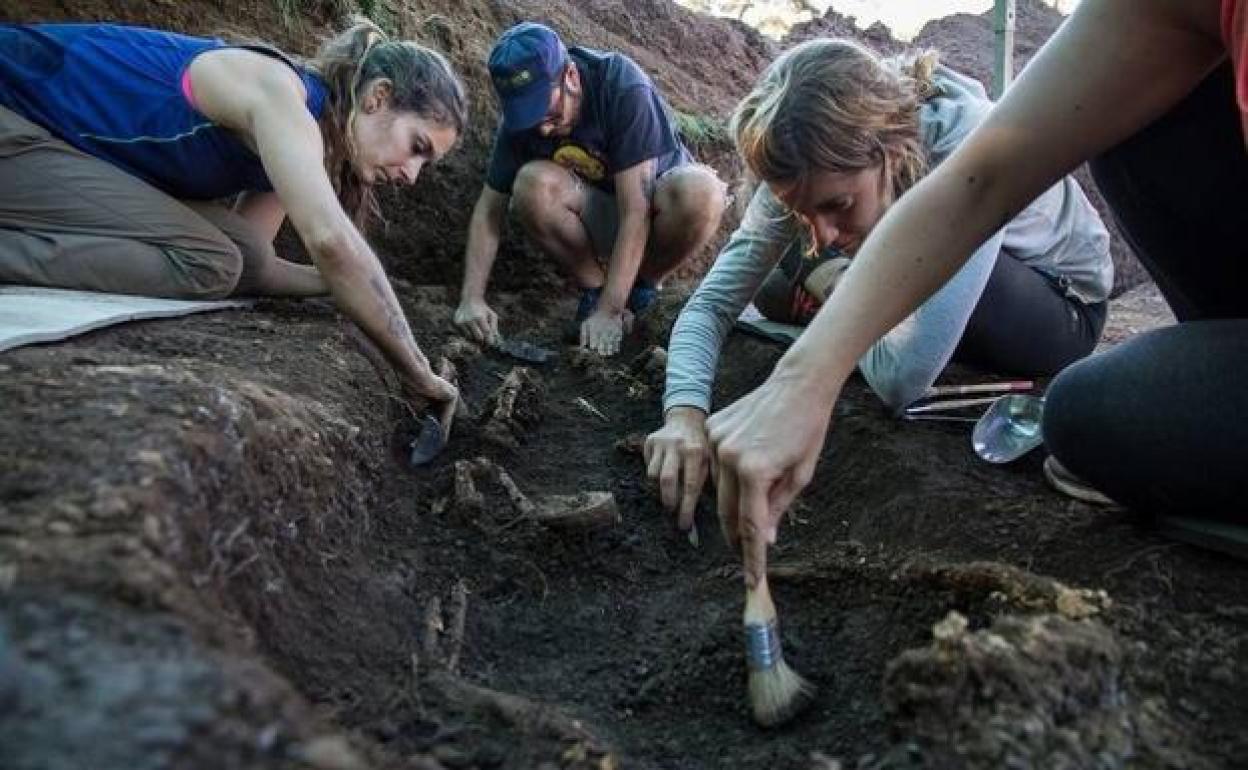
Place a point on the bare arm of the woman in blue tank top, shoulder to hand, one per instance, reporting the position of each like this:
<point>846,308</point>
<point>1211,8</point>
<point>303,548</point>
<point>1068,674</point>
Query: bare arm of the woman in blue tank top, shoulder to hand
<point>264,102</point>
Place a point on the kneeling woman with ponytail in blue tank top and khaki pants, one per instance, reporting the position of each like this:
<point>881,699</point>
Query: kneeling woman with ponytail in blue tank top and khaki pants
<point>117,144</point>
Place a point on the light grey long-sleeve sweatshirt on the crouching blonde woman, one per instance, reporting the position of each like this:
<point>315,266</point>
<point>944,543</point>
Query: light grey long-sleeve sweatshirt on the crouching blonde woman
<point>1059,234</point>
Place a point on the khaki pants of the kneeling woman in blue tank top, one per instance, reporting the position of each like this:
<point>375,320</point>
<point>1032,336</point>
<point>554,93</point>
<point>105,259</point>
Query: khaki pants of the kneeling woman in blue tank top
<point>74,222</point>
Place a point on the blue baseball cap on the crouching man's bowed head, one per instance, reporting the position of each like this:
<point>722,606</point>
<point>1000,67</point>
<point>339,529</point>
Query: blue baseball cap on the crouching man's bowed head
<point>524,67</point>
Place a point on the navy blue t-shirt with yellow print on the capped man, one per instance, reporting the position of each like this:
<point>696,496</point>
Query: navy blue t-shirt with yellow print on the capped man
<point>623,123</point>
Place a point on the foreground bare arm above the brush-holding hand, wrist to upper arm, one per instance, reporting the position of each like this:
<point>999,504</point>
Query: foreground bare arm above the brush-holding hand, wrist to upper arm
<point>1113,68</point>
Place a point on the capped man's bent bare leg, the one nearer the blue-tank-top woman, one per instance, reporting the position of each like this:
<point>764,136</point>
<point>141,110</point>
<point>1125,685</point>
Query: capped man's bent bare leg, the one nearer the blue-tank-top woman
<point>548,200</point>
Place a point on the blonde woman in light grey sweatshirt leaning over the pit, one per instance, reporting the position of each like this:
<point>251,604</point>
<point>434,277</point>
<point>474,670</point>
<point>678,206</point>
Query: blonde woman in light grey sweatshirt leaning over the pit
<point>837,137</point>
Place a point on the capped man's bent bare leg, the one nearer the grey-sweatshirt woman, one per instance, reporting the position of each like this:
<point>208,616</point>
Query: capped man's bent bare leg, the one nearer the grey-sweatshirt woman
<point>688,205</point>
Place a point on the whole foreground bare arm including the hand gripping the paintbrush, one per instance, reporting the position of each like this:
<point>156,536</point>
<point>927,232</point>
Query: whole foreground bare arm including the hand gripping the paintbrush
<point>1114,67</point>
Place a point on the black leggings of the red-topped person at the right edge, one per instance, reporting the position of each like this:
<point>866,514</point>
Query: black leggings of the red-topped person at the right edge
<point>1160,424</point>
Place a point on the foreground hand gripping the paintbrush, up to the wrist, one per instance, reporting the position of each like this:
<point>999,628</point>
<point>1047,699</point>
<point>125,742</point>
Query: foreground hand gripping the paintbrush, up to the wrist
<point>764,451</point>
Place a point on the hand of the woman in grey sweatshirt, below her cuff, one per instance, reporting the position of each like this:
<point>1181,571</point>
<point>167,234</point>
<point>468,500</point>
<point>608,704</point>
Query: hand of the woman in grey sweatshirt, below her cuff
<point>677,457</point>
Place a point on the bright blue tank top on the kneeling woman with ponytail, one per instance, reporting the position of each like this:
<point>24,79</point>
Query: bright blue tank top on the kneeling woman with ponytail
<point>117,93</point>
